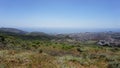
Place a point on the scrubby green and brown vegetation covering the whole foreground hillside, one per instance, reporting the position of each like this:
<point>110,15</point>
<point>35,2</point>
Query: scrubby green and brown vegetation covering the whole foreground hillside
<point>19,51</point>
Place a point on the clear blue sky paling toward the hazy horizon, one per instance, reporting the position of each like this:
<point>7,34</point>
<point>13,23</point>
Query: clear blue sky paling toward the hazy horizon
<point>60,14</point>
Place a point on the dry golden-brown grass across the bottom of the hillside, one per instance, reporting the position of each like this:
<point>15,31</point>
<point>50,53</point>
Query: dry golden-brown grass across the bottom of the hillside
<point>90,57</point>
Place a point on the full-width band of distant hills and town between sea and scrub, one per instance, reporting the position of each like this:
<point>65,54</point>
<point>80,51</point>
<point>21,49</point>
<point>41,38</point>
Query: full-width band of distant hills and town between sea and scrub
<point>70,37</point>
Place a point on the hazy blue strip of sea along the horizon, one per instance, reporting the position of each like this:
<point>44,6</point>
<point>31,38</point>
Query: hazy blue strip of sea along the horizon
<point>69,30</point>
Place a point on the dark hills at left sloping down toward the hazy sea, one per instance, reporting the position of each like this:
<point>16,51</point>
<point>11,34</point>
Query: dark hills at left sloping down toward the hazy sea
<point>24,34</point>
